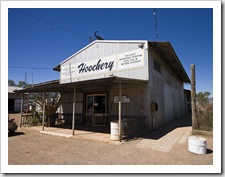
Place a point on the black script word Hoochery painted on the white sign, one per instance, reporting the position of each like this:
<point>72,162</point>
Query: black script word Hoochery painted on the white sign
<point>84,68</point>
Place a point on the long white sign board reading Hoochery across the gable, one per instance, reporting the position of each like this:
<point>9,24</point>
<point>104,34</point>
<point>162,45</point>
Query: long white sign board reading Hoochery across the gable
<point>104,65</point>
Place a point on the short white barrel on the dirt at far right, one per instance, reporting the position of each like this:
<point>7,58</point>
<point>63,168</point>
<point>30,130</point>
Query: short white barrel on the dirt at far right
<point>197,145</point>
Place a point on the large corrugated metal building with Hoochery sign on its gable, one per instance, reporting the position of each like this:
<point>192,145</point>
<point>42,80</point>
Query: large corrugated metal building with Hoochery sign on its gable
<point>139,83</point>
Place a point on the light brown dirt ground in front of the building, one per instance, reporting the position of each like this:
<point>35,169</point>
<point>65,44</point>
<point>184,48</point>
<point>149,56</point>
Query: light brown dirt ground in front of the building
<point>29,147</point>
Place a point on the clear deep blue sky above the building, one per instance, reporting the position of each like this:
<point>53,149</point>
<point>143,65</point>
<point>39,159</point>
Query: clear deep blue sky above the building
<point>34,41</point>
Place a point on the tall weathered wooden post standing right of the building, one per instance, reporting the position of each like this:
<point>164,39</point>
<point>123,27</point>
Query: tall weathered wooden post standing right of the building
<point>193,98</point>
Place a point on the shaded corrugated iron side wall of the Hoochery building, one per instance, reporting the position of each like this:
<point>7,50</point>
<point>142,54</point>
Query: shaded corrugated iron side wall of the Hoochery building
<point>166,89</point>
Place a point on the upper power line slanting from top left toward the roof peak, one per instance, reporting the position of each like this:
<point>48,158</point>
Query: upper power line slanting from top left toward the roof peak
<point>50,23</point>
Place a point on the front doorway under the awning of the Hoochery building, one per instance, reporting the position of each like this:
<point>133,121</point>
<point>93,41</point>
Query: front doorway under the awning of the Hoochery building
<point>96,109</point>
